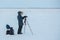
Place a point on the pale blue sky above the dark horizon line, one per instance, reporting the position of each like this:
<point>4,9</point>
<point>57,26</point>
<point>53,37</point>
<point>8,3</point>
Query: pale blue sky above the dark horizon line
<point>29,3</point>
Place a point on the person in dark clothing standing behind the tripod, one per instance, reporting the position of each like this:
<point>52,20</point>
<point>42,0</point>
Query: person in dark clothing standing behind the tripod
<point>20,21</point>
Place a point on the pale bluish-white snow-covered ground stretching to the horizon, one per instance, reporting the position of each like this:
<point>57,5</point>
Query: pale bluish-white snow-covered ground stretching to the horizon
<point>45,24</point>
